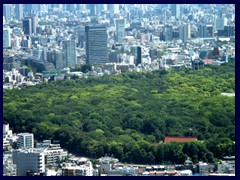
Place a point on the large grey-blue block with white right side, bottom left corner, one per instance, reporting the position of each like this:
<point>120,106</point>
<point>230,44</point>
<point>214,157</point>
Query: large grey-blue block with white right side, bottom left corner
<point>29,160</point>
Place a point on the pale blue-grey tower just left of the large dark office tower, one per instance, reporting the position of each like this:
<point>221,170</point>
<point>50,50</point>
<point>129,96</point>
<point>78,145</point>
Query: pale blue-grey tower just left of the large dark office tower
<point>69,53</point>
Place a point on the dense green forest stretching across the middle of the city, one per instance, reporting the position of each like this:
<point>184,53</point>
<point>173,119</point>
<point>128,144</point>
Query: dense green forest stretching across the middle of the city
<point>128,115</point>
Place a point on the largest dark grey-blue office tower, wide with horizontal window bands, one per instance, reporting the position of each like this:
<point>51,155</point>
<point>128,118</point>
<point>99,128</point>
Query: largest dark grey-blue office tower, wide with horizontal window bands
<point>96,45</point>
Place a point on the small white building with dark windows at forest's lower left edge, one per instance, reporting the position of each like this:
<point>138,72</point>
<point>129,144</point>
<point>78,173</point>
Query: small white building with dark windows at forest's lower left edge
<point>25,140</point>
